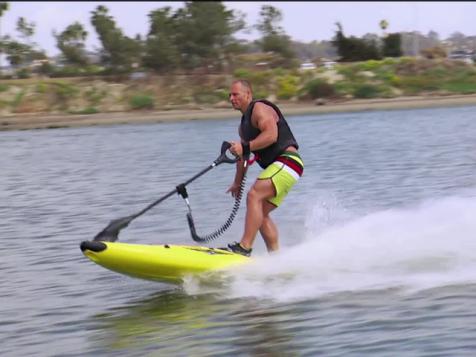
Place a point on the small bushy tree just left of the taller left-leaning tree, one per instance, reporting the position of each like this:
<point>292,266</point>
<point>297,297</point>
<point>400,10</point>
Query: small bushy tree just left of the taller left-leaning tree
<point>71,44</point>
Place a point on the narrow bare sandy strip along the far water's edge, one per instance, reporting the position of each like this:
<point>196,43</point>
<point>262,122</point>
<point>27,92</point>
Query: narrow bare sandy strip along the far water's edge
<point>52,121</point>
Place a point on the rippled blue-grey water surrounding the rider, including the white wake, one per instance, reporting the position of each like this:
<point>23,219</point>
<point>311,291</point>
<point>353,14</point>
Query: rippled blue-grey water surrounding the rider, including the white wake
<point>378,237</point>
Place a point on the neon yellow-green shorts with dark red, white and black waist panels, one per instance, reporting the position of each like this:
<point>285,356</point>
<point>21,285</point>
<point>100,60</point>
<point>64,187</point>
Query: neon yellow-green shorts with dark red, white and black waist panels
<point>284,172</point>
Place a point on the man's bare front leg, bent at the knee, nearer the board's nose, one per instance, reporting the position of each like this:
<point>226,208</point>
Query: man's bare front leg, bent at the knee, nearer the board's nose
<point>256,199</point>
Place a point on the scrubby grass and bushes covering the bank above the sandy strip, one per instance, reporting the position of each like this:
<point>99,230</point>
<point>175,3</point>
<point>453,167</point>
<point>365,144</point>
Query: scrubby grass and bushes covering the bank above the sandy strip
<point>388,78</point>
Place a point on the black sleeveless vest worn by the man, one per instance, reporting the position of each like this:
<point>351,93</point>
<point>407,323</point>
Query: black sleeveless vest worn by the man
<point>285,137</point>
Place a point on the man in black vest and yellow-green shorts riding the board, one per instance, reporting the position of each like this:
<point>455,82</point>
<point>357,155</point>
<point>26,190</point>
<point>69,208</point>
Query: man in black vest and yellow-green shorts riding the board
<point>265,133</point>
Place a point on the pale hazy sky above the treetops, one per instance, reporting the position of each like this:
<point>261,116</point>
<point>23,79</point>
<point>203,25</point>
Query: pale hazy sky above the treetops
<point>303,21</point>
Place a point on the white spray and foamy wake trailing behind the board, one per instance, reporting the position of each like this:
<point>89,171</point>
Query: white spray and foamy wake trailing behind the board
<point>429,245</point>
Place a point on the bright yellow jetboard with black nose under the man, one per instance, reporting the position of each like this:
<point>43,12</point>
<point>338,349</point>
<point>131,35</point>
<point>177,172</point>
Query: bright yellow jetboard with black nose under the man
<point>165,263</point>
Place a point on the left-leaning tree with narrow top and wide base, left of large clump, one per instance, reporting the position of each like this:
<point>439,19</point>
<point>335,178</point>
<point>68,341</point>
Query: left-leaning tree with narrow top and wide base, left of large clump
<point>118,52</point>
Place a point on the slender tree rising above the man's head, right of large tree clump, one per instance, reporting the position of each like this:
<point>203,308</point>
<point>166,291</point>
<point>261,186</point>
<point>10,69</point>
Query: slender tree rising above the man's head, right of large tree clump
<point>274,39</point>
